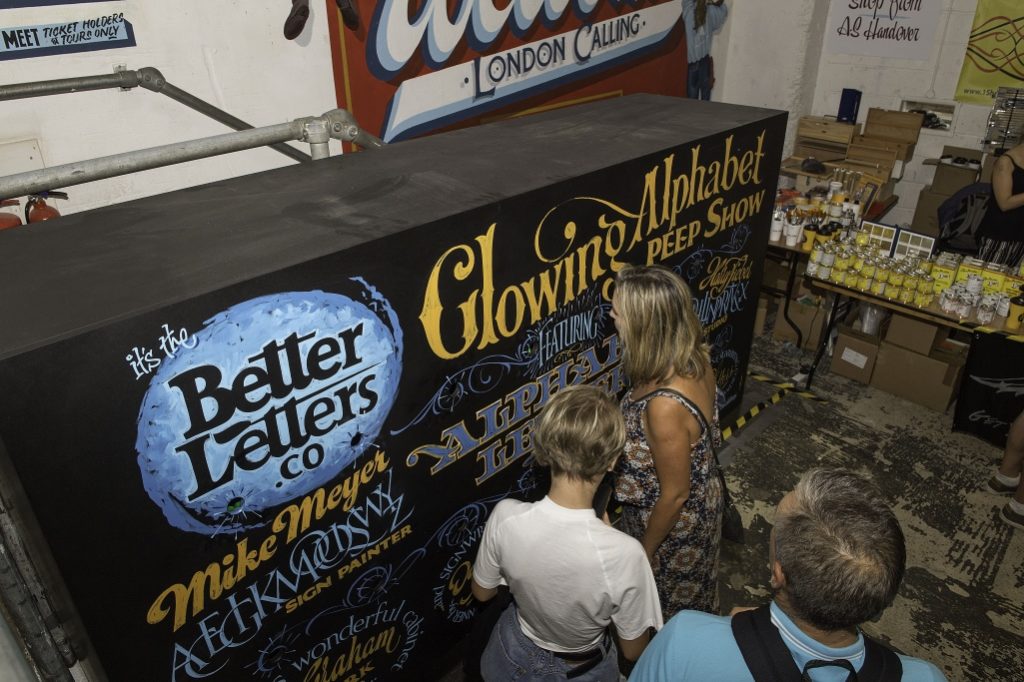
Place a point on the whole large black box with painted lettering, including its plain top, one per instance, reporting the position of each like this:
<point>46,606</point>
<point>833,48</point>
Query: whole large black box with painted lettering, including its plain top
<point>262,422</point>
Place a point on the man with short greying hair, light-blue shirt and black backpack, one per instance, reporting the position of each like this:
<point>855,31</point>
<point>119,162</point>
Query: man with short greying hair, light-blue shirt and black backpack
<point>837,557</point>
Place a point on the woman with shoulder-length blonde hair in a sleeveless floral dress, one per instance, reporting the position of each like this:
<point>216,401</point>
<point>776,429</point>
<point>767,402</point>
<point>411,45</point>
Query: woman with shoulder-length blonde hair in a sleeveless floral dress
<point>667,478</point>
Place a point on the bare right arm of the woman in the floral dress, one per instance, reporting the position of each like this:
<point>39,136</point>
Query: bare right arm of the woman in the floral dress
<point>671,430</point>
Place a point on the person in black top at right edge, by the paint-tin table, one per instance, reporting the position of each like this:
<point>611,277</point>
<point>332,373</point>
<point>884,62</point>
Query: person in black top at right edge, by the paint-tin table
<point>1001,236</point>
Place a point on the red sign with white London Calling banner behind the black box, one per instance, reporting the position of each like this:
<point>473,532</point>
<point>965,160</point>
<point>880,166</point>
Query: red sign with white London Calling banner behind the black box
<point>414,68</point>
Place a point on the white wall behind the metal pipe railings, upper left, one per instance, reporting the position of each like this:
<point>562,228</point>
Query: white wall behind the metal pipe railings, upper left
<point>229,53</point>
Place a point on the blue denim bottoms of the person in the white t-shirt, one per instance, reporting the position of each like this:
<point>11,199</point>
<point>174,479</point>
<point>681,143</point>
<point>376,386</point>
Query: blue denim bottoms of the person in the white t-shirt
<point>513,656</point>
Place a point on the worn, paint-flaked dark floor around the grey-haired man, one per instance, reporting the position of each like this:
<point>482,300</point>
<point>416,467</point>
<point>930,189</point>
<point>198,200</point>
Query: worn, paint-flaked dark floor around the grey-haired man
<point>962,605</point>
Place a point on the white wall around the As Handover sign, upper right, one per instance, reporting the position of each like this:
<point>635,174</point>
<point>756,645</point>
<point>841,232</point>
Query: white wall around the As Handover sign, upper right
<point>775,58</point>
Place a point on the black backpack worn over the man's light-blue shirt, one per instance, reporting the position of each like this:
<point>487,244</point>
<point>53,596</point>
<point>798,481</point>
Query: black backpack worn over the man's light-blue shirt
<point>770,660</point>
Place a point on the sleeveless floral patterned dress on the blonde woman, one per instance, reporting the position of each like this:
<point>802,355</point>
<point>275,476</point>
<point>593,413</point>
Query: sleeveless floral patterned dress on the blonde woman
<point>687,563</point>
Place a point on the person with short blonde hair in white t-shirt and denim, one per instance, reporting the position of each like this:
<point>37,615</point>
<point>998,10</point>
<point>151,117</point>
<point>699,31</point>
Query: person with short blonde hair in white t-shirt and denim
<point>571,574</point>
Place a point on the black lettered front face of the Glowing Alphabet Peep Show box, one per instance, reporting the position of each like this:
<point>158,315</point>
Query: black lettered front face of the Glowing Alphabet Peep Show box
<point>287,479</point>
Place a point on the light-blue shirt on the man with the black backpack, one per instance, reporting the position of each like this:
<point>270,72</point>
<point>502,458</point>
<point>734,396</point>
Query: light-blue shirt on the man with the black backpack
<point>700,647</point>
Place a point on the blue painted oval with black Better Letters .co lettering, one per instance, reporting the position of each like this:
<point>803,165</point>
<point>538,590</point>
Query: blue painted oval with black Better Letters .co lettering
<point>278,396</point>
